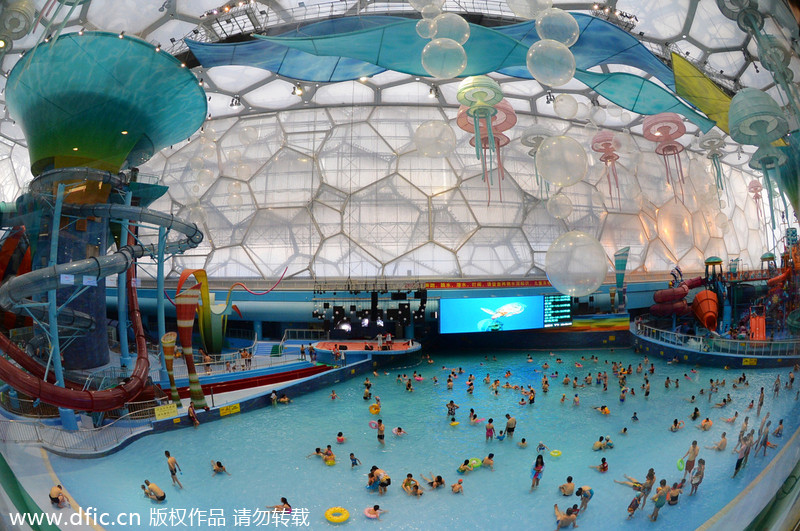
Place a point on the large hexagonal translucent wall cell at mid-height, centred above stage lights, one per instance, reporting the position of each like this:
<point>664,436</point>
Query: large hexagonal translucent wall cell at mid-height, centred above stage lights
<point>388,218</point>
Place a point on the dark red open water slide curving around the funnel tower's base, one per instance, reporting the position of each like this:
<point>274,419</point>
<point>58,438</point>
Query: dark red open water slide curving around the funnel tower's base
<point>73,396</point>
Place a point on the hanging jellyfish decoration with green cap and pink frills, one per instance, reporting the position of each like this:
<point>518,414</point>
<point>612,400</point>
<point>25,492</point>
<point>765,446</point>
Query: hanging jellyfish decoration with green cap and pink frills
<point>485,114</point>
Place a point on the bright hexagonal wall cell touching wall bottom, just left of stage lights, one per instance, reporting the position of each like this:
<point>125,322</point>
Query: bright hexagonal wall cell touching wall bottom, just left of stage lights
<point>282,238</point>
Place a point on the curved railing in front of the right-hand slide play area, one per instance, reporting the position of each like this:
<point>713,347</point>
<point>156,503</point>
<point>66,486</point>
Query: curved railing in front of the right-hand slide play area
<point>739,347</point>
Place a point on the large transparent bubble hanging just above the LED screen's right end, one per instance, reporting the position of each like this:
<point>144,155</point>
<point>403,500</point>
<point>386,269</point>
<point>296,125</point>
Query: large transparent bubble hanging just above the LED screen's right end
<point>576,264</point>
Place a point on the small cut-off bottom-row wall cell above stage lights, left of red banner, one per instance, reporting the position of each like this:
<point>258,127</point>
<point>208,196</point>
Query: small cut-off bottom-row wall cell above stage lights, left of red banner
<point>341,257</point>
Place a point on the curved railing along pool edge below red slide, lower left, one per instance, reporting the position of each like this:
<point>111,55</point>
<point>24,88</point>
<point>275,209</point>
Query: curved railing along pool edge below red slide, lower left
<point>83,440</point>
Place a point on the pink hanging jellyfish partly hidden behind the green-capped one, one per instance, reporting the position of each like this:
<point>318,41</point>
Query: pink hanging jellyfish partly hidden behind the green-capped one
<point>490,141</point>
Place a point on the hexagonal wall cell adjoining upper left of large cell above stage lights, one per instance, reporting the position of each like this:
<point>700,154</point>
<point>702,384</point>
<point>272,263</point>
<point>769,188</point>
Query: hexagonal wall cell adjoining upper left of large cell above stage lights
<point>354,156</point>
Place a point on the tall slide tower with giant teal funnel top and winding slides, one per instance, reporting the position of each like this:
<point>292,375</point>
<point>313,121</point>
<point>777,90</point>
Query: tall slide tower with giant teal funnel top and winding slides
<point>90,105</point>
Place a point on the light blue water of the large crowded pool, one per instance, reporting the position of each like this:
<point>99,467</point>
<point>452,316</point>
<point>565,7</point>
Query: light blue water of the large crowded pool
<point>265,451</point>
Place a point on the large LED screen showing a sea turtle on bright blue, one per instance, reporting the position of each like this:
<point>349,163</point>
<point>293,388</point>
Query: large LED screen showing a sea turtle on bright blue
<point>494,314</point>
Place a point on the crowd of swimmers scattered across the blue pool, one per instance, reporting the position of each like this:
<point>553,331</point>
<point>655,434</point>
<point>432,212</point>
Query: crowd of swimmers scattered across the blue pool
<point>750,439</point>
